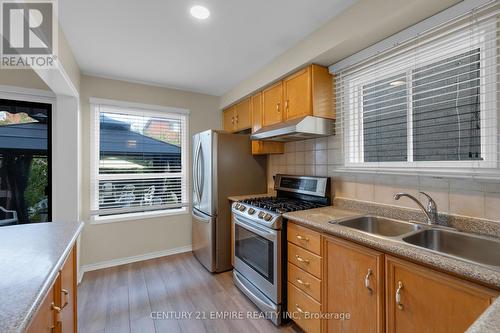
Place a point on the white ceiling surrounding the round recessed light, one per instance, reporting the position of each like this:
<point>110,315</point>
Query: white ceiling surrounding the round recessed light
<point>158,42</point>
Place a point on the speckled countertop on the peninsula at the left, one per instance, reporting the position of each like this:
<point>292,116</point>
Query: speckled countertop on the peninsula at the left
<point>30,257</point>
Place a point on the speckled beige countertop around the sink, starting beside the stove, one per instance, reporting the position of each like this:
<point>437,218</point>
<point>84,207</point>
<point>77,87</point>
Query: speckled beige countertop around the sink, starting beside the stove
<point>319,219</point>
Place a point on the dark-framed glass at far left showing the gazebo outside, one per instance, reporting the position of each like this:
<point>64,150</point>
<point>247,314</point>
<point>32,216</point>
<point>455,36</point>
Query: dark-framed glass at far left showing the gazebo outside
<point>25,162</point>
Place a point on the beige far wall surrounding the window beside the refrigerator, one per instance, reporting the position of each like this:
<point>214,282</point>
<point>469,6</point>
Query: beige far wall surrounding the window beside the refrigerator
<point>102,242</point>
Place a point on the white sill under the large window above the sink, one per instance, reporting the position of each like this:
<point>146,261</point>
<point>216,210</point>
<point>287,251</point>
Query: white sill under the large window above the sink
<point>490,175</point>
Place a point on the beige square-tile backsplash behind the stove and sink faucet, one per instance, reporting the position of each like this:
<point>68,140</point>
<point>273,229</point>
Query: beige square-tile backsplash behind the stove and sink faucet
<point>321,157</point>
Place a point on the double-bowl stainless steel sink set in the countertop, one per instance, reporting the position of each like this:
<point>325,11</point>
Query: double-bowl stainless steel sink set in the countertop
<point>460,245</point>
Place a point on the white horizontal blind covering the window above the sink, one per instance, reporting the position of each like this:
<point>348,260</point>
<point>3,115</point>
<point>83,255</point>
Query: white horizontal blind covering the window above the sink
<point>427,104</point>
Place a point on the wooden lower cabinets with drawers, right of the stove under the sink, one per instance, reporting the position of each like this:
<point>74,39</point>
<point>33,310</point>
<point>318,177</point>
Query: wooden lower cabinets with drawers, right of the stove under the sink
<point>373,291</point>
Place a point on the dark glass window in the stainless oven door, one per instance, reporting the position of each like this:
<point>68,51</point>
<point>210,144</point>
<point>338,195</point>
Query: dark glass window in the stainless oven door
<point>255,251</point>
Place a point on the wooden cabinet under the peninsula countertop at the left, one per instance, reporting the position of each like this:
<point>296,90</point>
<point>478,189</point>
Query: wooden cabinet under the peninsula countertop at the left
<point>58,311</point>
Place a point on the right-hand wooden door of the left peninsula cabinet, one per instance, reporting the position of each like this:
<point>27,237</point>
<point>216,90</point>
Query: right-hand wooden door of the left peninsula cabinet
<point>68,294</point>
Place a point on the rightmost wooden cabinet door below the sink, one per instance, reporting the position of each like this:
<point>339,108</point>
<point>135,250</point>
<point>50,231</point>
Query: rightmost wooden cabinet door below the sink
<point>428,300</point>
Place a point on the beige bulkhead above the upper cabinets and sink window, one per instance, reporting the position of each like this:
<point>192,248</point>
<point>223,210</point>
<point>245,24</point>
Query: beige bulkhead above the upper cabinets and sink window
<point>359,26</point>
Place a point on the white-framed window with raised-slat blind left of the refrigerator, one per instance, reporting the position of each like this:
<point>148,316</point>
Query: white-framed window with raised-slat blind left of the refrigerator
<point>139,160</point>
